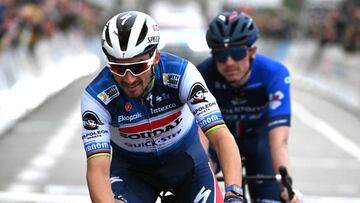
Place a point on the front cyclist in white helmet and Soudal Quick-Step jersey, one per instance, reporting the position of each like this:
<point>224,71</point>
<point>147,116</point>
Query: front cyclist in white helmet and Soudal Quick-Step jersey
<point>140,119</point>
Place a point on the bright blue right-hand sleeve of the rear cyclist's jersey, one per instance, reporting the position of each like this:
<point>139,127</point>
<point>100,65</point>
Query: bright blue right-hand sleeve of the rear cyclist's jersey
<point>279,99</point>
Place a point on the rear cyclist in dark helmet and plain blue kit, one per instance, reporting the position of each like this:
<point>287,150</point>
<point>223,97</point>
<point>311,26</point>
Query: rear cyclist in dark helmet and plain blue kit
<point>253,93</point>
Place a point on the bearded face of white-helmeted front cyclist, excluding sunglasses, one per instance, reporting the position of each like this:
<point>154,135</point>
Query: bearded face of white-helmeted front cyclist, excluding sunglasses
<point>134,86</point>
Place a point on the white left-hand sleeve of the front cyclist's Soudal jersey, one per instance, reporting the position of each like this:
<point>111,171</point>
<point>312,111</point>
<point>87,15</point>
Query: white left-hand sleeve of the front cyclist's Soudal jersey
<point>96,128</point>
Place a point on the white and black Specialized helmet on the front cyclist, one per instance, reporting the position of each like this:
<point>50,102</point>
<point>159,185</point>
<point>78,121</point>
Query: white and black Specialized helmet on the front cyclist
<point>130,34</point>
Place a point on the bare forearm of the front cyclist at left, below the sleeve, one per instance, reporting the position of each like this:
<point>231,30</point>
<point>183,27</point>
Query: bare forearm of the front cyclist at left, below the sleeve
<point>98,180</point>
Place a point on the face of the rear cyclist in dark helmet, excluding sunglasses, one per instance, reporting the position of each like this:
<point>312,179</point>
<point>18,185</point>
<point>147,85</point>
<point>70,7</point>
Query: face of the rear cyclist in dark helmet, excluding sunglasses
<point>234,71</point>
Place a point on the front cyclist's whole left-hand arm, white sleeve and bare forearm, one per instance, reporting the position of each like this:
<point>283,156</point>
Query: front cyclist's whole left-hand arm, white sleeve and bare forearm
<point>96,139</point>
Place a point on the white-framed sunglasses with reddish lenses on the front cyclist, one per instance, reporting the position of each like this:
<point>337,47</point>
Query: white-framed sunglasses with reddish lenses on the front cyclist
<point>136,68</point>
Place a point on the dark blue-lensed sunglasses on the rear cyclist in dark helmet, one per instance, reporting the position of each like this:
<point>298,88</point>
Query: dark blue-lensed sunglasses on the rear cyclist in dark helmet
<point>236,53</point>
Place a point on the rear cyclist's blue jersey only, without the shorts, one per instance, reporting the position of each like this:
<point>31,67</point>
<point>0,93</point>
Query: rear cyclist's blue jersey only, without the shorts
<point>263,99</point>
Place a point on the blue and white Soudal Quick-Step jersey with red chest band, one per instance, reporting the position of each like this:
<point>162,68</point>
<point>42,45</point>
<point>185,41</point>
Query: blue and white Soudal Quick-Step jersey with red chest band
<point>153,128</point>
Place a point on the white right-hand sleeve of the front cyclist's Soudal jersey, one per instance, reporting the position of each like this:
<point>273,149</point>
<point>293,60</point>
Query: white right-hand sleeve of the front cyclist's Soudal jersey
<point>202,103</point>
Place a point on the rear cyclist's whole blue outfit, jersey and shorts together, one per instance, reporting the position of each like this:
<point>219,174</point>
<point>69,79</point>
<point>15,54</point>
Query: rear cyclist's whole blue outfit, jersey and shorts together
<point>250,112</point>
